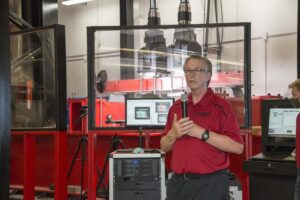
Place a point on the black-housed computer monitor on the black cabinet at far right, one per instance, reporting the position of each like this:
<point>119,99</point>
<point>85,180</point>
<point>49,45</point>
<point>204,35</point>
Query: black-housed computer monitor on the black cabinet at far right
<point>278,125</point>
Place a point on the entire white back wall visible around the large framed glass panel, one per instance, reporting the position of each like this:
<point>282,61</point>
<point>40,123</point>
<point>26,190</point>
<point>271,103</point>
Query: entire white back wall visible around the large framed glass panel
<point>274,27</point>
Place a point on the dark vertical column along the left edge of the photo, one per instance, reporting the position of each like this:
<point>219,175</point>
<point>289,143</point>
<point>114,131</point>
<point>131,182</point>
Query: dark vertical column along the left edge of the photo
<point>5,111</point>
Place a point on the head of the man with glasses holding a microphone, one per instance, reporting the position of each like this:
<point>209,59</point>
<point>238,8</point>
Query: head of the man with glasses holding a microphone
<point>196,74</point>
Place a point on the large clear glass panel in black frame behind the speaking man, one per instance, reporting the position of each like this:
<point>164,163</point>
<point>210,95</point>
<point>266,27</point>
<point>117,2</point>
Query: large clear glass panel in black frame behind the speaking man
<point>148,62</point>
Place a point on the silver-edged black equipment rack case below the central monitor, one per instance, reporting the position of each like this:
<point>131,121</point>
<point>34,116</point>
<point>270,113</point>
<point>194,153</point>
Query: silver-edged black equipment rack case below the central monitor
<point>137,176</point>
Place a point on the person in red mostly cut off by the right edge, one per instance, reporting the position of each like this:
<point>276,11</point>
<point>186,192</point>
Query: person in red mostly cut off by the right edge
<point>295,87</point>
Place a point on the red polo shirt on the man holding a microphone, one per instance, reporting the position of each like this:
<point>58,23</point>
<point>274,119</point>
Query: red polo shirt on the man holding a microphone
<point>192,155</point>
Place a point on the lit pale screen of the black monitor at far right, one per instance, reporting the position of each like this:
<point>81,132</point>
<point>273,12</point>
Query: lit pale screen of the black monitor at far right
<point>282,122</point>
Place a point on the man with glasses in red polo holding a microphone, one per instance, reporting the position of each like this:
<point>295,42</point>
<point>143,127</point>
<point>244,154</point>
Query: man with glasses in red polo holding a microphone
<point>200,143</point>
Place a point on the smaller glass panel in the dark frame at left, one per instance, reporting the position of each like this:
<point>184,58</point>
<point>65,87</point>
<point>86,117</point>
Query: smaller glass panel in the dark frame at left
<point>33,80</point>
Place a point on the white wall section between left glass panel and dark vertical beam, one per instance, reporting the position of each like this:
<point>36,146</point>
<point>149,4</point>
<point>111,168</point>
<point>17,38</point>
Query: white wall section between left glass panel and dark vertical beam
<point>76,19</point>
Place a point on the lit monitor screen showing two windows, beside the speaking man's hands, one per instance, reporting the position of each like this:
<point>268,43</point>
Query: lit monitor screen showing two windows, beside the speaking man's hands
<point>147,113</point>
